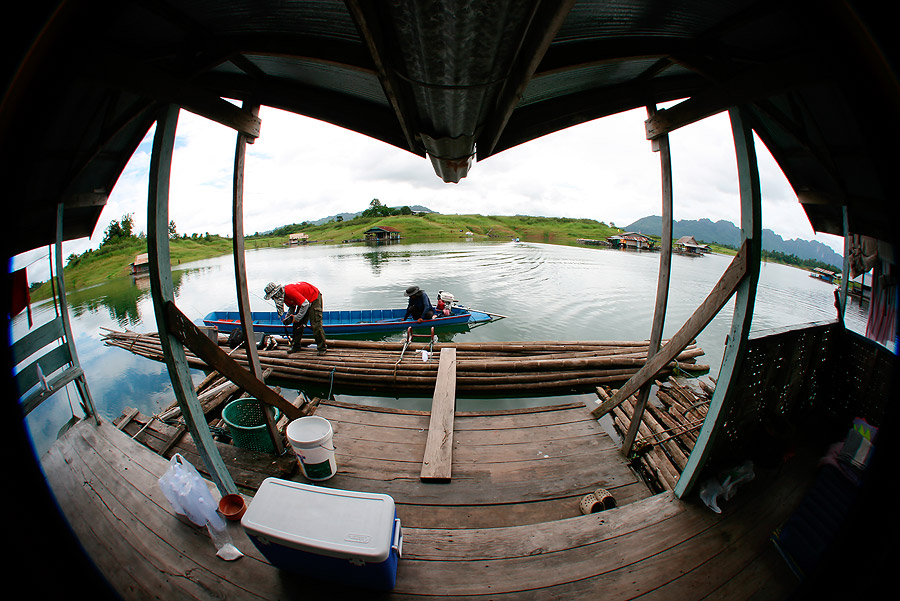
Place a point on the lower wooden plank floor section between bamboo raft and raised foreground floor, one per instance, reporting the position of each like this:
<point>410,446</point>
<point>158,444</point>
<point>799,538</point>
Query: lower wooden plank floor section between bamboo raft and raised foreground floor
<point>509,467</point>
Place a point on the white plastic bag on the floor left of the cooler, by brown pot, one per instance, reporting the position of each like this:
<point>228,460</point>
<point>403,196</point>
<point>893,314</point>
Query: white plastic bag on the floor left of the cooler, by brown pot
<point>189,496</point>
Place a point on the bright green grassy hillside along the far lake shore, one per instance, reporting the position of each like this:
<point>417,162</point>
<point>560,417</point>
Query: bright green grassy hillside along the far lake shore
<point>112,261</point>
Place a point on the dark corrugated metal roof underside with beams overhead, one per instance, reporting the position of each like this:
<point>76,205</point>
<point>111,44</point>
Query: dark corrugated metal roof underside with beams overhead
<point>450,81</point>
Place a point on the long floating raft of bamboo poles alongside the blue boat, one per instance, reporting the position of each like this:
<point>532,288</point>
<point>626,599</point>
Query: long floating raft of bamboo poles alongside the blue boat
<point>483,368</point>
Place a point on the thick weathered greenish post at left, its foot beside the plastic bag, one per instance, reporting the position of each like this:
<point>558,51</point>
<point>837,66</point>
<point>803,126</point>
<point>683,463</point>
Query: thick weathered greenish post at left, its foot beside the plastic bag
<point>162,291</point>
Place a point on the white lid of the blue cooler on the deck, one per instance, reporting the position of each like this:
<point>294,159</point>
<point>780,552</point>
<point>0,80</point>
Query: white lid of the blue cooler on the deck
<point>327,521</point>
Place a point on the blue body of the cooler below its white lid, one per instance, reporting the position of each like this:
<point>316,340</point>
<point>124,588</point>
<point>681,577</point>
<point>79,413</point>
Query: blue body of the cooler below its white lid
<point>381,576</point>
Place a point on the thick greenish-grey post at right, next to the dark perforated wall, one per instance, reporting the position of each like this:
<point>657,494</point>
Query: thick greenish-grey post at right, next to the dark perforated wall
<point>735,349</point>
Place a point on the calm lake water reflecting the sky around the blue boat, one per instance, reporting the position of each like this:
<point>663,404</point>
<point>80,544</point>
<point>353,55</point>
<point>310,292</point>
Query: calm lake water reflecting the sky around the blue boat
<point>547,292</point>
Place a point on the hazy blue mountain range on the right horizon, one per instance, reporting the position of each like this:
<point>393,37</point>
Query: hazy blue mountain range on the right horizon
<point>725,232</point>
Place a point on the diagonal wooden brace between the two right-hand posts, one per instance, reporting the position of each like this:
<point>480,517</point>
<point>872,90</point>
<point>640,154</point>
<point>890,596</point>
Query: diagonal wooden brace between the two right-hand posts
<point>717,298</point>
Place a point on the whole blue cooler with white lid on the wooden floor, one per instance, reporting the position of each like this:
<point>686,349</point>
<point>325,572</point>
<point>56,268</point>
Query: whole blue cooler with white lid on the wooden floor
<point>345,536</point>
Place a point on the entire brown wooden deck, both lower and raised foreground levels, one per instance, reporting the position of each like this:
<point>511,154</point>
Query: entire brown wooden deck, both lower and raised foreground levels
<point>507,526</point>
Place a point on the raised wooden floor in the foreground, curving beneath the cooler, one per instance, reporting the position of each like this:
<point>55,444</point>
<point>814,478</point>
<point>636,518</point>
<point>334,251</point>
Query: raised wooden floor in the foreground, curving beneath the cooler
<point>654,548</point>
